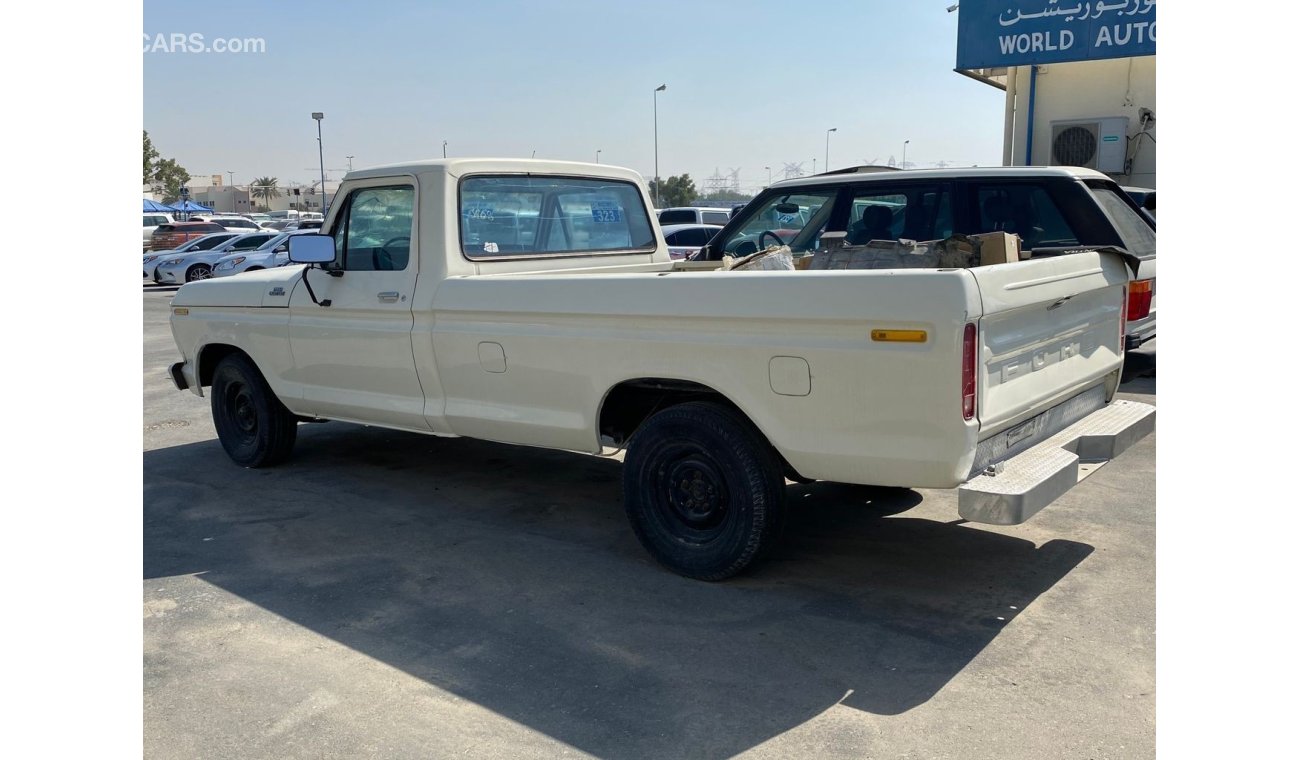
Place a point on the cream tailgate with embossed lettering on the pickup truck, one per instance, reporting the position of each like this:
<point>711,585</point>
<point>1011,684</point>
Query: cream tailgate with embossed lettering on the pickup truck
<point>1052,329</point>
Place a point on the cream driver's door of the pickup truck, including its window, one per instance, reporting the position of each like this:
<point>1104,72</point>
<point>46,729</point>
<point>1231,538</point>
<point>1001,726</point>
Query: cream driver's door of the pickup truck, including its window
<point>354,357</point>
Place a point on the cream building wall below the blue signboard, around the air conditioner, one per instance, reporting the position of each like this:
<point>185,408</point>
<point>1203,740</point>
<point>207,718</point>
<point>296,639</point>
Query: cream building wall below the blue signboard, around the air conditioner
<point>1087,90</point>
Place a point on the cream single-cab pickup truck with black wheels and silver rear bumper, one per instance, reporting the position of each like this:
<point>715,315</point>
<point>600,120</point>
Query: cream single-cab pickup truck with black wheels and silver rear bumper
<point>535,303</point>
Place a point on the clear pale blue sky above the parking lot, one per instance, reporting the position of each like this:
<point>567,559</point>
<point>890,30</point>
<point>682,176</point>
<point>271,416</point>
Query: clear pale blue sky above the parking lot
<point>751,85</point>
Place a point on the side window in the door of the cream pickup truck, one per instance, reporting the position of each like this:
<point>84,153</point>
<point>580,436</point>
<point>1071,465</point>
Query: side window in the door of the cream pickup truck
<point>376,236</point>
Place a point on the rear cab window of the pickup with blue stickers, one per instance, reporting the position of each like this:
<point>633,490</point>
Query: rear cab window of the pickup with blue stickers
<point>521,216</point>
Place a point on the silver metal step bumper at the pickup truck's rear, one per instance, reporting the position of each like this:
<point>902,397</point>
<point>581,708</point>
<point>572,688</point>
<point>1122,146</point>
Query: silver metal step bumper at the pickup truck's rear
<point>1032,480</point>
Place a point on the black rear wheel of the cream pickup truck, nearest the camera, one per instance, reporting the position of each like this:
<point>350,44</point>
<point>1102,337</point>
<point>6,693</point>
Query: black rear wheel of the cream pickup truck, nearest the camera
<point>704,490</point>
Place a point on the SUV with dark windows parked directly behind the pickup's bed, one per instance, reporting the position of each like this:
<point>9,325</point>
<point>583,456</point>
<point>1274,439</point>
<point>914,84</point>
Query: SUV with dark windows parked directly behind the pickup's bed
<point>1054,210</point>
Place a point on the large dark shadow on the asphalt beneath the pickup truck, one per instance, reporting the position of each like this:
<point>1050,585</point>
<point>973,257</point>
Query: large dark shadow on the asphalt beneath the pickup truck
<point>509,577</point>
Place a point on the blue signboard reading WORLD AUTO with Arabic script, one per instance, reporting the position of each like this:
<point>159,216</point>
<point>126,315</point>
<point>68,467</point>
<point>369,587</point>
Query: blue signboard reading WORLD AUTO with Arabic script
<point>1019,33</point>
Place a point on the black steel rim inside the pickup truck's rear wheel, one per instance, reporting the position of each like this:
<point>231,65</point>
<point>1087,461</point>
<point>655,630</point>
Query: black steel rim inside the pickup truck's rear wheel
<point>694,496</point>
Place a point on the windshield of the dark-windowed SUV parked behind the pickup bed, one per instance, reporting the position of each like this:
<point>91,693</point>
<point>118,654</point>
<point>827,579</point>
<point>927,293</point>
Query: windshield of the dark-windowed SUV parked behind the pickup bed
<point>795,220</point>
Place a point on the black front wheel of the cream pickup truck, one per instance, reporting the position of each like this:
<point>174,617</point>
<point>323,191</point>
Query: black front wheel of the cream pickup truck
<point>255,429</point>
